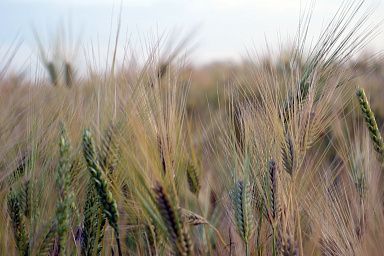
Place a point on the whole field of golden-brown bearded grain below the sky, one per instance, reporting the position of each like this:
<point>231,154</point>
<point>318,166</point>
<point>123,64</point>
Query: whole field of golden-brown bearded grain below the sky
<point>280,155</point>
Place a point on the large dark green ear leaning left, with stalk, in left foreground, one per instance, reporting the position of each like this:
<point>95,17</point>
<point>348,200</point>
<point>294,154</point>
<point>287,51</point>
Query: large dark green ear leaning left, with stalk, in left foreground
<point>107,201</point>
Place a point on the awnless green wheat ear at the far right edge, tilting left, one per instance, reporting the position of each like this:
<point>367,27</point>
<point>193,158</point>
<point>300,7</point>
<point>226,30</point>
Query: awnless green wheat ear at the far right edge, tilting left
<point>370,120</point>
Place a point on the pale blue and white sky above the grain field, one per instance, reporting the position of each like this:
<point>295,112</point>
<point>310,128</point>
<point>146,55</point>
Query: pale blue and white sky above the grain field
<point>219,29</point>
